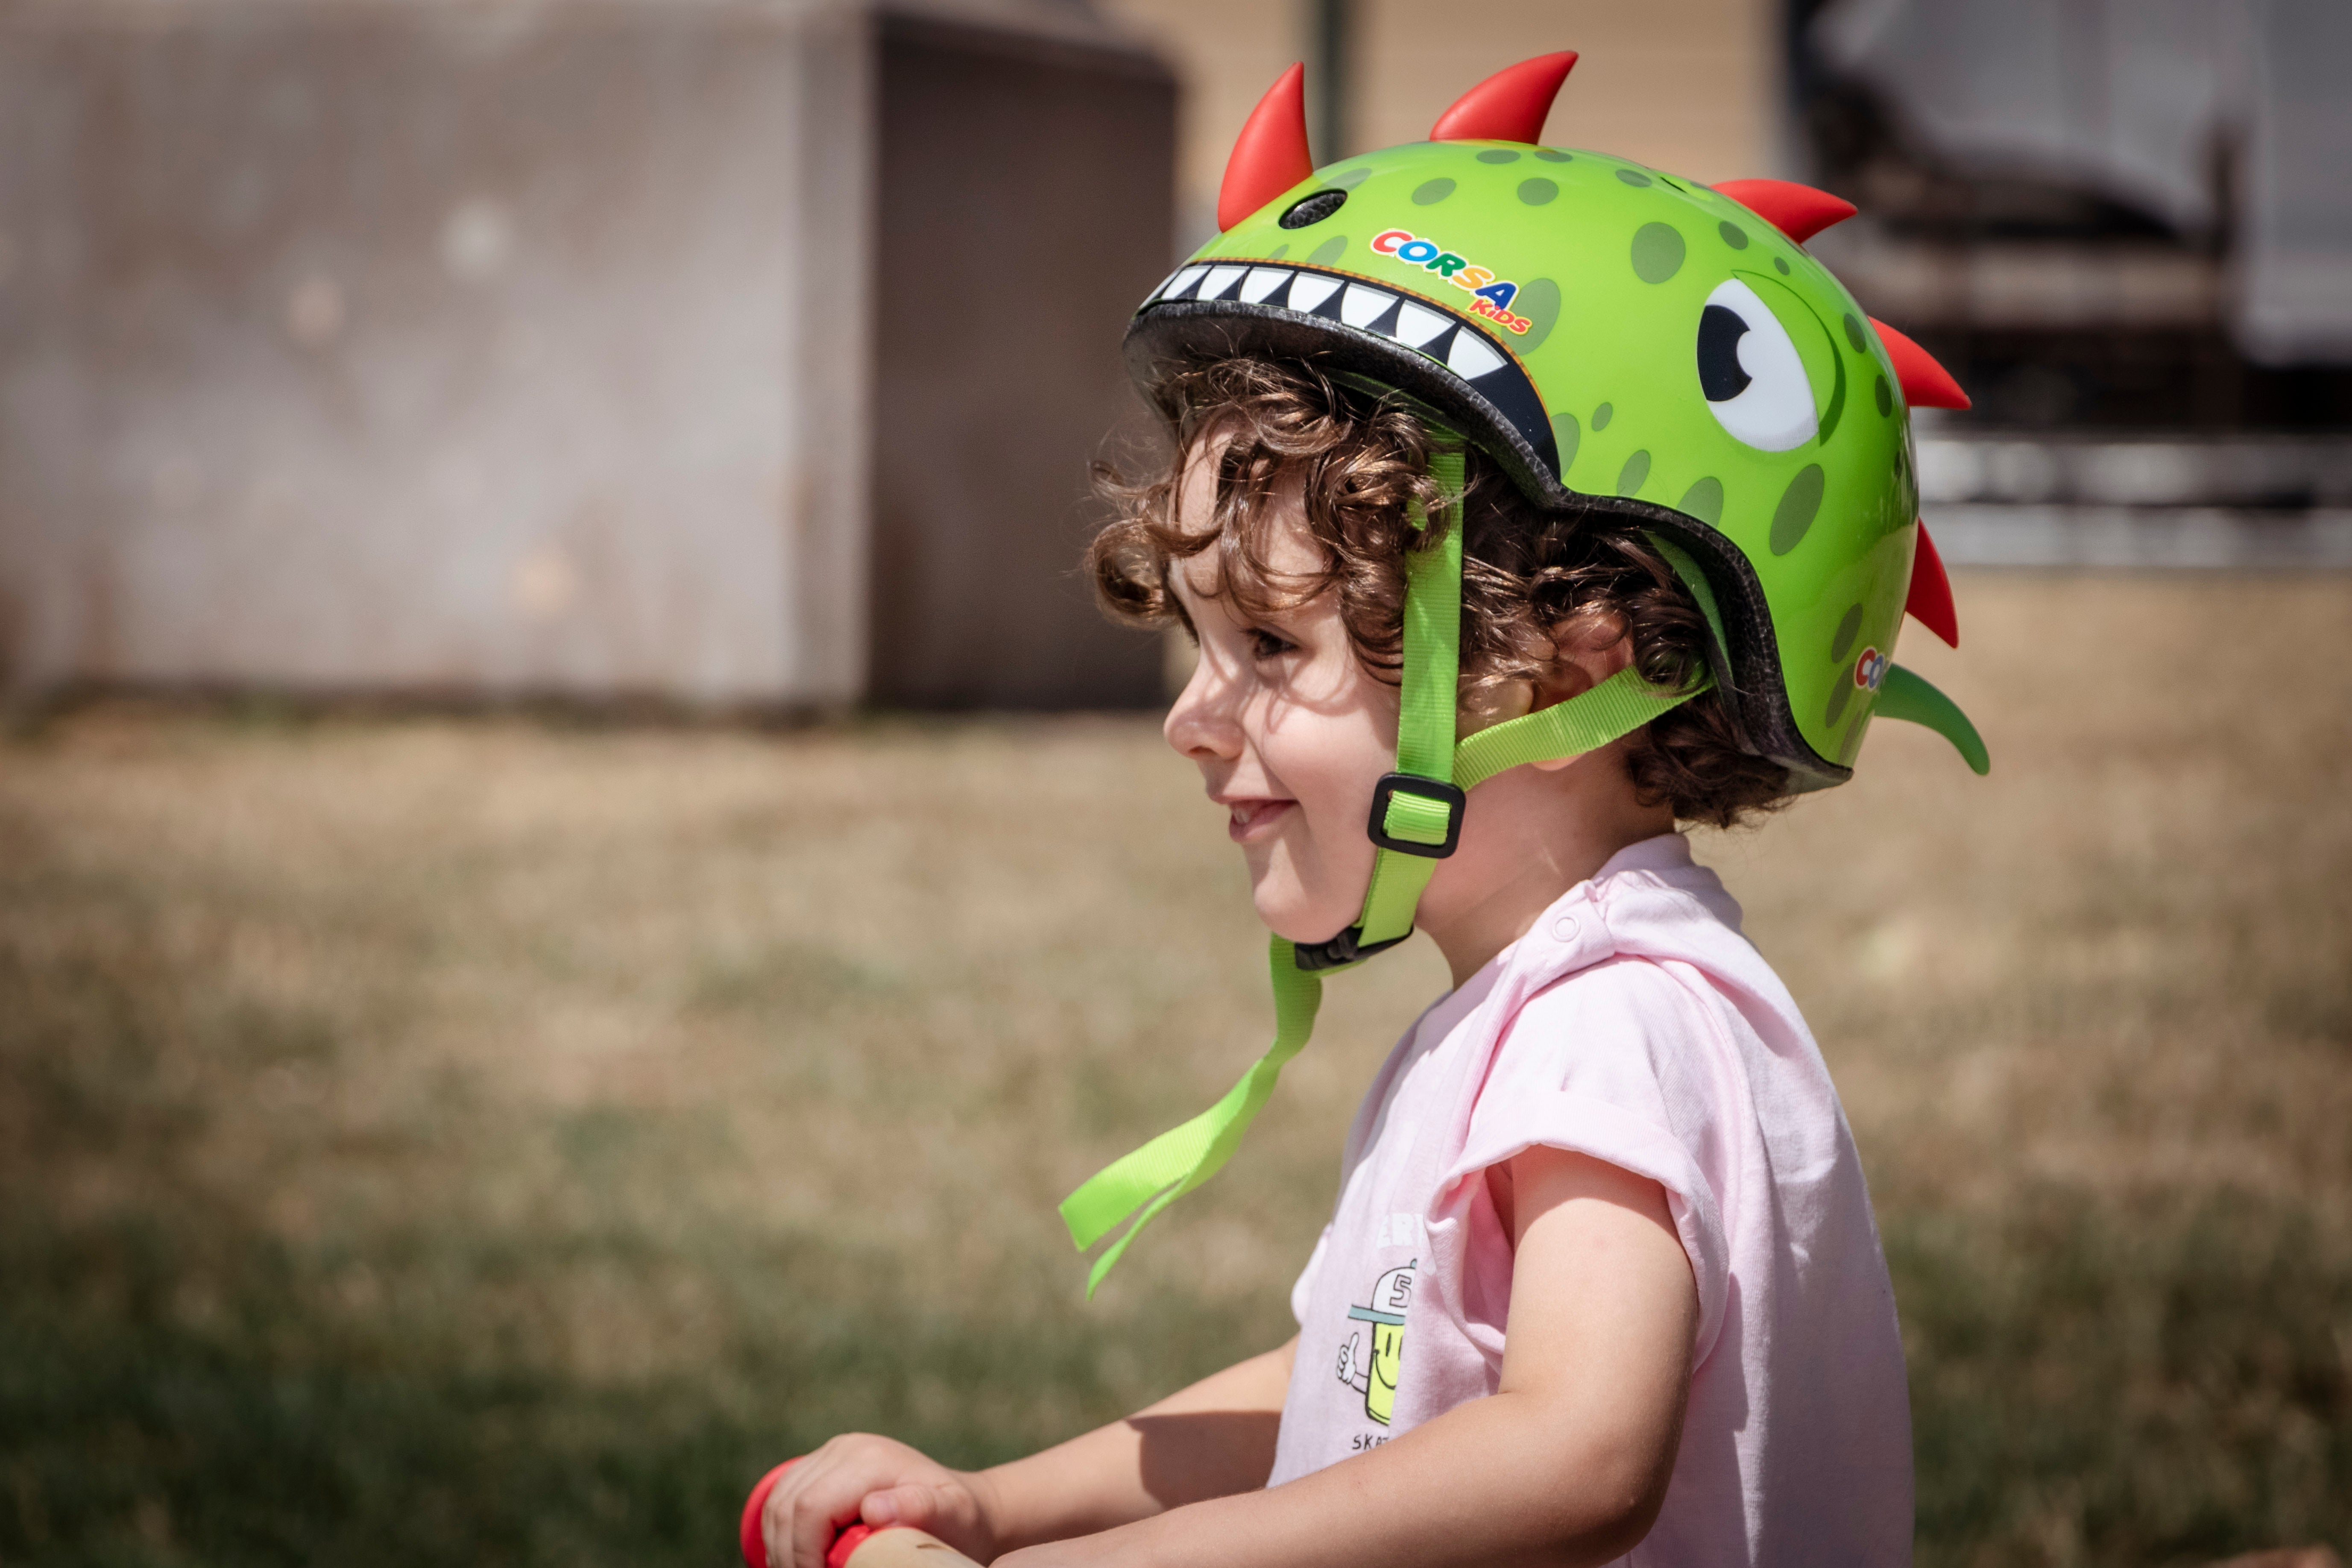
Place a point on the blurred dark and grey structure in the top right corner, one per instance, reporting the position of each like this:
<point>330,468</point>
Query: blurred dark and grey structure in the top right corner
<point>2127,227</point>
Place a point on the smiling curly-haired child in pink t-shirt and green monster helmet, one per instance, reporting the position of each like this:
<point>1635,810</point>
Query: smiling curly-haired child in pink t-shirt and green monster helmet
<point>1539,504</point>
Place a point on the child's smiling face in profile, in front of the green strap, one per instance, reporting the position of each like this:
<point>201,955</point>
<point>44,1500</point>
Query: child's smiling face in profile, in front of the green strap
<point>1288,730</point>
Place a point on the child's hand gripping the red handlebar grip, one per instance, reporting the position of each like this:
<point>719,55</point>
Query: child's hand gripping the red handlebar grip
<point>881,1482</point>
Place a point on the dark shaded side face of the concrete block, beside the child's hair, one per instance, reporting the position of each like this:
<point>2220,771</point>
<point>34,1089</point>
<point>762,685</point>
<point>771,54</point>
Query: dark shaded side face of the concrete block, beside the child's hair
<point>1024,206</point>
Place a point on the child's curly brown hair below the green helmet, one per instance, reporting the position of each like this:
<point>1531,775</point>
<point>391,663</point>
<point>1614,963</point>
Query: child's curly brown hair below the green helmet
<point>1361,457</point>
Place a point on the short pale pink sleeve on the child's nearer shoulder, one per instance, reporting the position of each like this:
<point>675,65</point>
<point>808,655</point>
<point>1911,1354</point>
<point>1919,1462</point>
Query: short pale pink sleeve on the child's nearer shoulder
<point>1624,1064</point>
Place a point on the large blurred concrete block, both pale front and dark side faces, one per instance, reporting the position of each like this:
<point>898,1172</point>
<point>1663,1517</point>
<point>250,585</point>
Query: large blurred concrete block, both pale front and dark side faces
<point>474,349</point>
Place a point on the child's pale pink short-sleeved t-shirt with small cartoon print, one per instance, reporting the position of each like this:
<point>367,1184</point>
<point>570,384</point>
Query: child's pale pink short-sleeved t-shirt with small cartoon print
<point>1638,1026</point>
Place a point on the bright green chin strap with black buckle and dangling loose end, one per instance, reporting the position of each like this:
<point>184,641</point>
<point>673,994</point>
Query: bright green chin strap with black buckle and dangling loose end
<point>1415,819</point>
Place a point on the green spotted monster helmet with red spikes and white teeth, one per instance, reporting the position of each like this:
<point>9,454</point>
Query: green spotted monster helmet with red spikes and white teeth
<point>1612,337</point>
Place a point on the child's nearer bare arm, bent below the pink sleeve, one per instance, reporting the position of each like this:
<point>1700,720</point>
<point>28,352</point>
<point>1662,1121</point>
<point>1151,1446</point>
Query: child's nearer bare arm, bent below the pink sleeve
<point>1568,1463</point>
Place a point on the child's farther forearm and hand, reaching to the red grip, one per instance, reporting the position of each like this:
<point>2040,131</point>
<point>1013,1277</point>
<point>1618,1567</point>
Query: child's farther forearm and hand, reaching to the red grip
<point>1210,1440</point>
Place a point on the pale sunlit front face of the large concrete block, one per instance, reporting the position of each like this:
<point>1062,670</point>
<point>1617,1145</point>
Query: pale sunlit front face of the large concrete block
<point>432,349</point>
